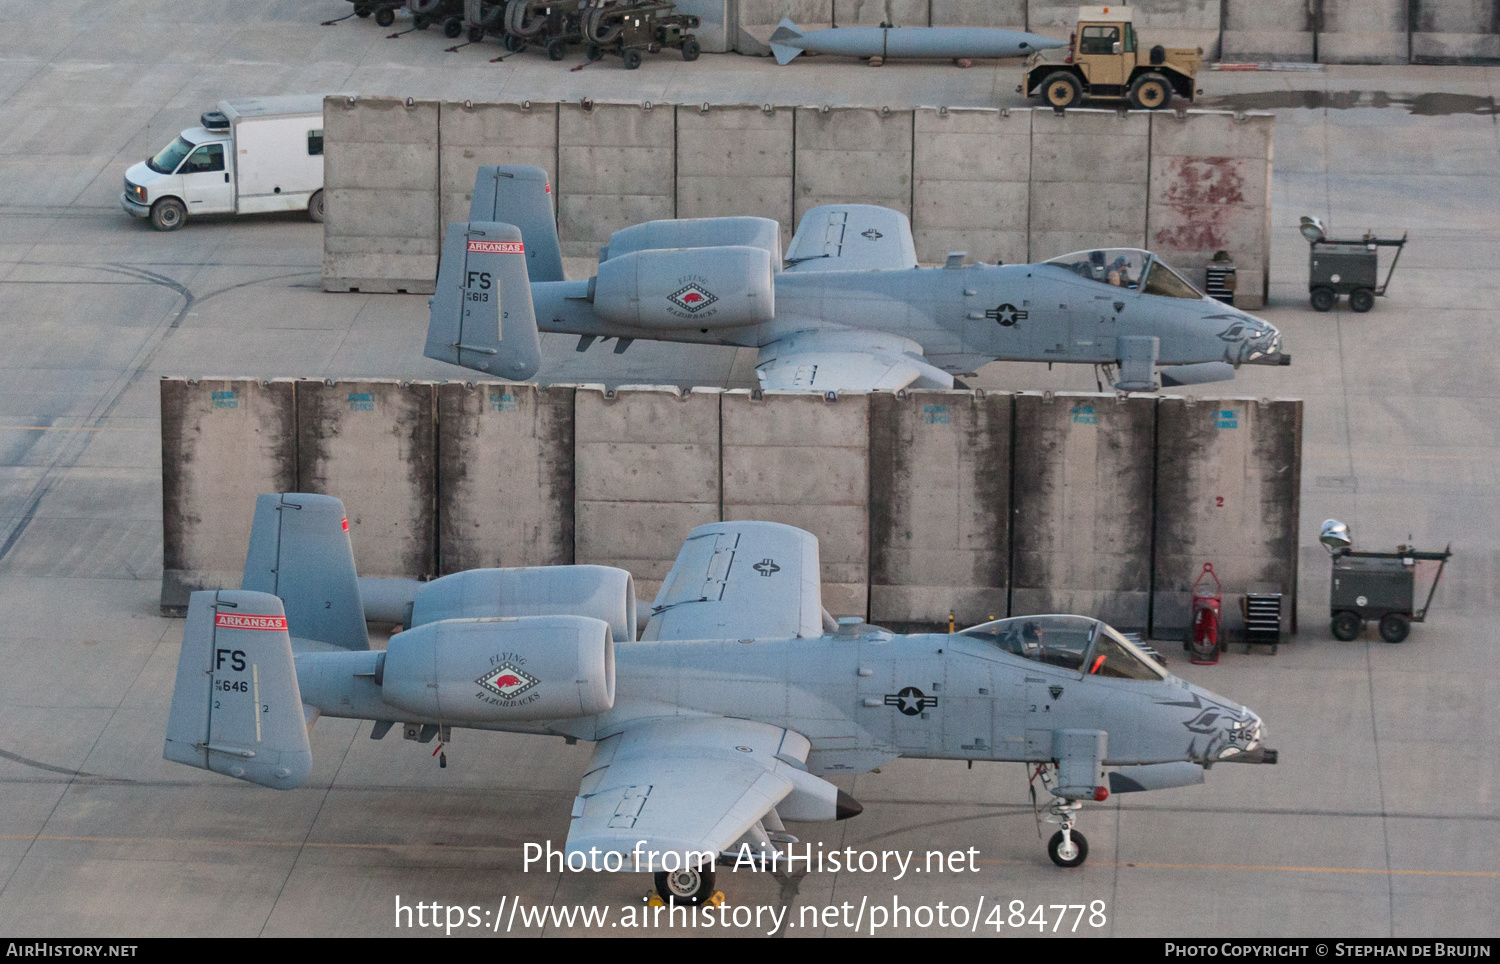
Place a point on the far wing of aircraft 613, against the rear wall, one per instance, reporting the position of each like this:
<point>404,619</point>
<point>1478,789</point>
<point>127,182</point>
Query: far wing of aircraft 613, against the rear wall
<point>851,238</point>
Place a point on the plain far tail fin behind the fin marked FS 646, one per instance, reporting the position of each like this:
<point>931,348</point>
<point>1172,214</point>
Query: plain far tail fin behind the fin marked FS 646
<point>301,552</point>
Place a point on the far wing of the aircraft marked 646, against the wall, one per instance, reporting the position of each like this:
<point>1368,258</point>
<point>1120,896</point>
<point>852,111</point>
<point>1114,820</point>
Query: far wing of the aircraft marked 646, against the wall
<point>742,581</point>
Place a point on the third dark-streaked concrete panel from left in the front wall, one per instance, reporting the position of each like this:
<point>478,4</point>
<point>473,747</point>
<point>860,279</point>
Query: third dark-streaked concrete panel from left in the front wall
<point>505,476</point>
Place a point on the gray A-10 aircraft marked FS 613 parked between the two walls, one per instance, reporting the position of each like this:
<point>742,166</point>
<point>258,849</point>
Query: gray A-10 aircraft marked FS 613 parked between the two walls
<point>847,310</point>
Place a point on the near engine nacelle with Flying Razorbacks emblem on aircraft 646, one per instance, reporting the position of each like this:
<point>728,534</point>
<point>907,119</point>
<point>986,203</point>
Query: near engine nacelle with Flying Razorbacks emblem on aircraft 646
<point>479,671</point>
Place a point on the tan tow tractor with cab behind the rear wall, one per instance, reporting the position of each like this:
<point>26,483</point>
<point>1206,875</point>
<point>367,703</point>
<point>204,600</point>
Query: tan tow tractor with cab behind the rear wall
<point>1105,62</point>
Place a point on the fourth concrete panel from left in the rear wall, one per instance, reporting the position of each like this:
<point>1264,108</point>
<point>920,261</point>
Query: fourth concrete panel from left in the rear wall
<point>736,161</point>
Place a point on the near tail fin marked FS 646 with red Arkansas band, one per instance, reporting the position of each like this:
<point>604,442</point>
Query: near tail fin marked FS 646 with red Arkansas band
<point>236,707</point>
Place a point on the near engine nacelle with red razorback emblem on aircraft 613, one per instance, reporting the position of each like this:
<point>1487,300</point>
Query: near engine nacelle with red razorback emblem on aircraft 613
<point>686,289</point>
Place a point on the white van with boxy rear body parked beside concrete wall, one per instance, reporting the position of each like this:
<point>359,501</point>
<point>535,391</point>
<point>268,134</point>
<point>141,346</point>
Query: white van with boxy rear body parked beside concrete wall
<point>250,157</point>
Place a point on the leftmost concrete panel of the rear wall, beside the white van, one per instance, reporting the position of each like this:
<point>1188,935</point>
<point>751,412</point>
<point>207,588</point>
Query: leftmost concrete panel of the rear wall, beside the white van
<point>380,175</point>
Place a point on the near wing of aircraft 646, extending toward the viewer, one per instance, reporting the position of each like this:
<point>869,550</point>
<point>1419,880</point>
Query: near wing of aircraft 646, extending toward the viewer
<point>683,785</point>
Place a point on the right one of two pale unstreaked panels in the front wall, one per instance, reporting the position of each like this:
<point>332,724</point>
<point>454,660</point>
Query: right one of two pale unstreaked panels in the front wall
<point>803,461</point>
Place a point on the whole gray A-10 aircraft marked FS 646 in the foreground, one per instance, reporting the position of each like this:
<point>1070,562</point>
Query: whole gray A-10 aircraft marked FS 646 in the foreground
<point>724,719</point>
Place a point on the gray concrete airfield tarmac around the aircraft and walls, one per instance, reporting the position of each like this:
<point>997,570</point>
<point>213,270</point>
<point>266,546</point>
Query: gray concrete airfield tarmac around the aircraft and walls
<point>1381,819</point>
